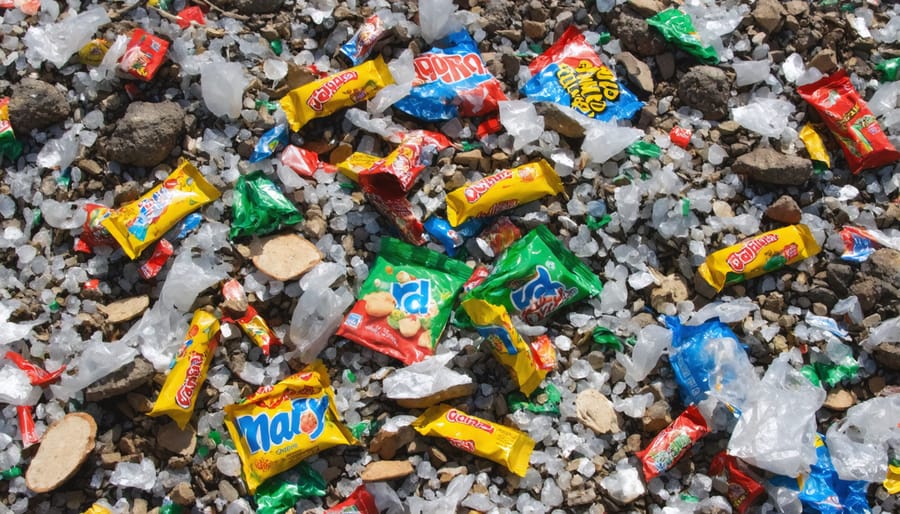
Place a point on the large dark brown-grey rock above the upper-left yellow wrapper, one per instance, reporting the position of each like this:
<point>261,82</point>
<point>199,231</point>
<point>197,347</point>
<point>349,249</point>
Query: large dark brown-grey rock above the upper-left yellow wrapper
<point>146,134</point>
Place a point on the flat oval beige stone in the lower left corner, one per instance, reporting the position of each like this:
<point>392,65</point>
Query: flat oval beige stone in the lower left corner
<point>64,448</point>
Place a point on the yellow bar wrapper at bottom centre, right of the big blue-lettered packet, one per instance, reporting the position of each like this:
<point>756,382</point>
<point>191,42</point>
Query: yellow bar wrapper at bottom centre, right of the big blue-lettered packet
<point>501,444</point>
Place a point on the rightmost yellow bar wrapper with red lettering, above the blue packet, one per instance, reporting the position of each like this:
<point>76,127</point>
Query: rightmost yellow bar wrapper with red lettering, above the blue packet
<point>758,255</point>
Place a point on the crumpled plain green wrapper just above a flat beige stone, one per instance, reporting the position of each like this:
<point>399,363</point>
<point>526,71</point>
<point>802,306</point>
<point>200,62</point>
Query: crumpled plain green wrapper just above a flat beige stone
<point>260,207</point>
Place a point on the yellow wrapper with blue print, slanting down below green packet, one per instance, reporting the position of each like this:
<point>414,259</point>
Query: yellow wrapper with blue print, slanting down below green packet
<point>495,325</point>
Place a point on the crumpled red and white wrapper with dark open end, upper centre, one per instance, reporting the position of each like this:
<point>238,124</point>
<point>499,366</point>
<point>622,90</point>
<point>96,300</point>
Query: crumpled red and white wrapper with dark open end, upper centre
<point>394,175</point>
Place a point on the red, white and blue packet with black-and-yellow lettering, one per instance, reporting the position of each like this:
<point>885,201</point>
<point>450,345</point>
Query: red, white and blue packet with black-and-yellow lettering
<point>570,73</point>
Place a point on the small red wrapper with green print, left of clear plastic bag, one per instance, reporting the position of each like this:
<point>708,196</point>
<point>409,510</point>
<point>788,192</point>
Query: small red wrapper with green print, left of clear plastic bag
<point>673,442</point>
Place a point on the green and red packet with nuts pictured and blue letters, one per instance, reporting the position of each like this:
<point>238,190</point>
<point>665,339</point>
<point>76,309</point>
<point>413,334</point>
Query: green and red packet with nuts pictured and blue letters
<point>405,302</point>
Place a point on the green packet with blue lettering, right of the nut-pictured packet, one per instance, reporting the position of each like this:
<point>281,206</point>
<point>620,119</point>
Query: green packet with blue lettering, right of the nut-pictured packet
<point>536,277</point>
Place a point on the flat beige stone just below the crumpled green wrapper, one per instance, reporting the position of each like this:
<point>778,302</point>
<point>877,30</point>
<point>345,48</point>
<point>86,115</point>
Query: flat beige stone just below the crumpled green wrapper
<point>284,257</point>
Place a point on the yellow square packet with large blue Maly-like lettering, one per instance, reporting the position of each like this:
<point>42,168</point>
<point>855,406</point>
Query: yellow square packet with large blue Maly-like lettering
<point>279,426</point>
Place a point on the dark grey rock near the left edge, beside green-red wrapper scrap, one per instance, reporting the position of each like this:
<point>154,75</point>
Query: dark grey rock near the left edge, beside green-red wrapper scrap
<point>35,104</point>
